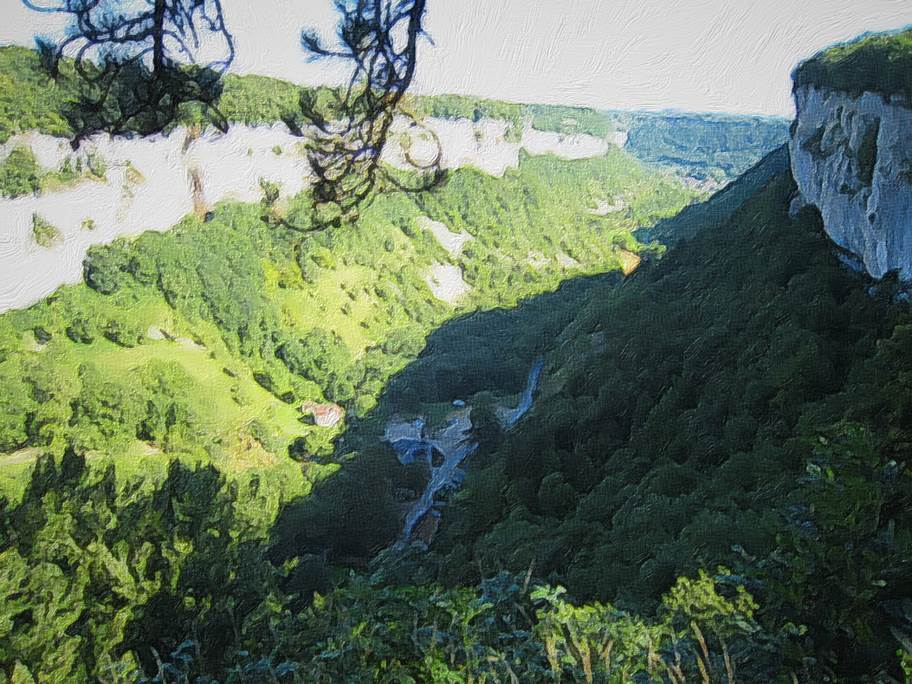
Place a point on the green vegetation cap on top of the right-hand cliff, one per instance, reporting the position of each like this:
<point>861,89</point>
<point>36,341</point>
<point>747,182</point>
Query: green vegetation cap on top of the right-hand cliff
<point>877,63</point>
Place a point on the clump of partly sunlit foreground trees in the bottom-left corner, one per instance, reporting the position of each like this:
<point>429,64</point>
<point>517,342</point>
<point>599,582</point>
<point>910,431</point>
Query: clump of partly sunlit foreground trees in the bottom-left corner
<point>91,569</point>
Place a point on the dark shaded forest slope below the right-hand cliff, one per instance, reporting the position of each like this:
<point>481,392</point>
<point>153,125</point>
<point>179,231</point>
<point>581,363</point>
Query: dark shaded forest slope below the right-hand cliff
<point>742,401</point>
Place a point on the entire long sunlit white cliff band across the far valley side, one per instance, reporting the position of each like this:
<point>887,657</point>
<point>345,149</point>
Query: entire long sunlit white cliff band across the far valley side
<point>152,183</point>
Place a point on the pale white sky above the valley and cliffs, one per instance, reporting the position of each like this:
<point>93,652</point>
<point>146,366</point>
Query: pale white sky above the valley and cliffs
<point>699,55</point>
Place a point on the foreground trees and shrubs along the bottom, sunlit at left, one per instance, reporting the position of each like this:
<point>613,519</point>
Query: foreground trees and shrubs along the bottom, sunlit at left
<point>121,575</point>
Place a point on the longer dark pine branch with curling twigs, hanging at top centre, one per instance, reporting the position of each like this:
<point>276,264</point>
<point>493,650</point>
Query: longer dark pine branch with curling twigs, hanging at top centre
<point>379,39</point>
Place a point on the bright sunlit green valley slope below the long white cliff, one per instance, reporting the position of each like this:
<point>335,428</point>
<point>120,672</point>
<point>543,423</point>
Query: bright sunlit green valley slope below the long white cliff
<point>207,339</point>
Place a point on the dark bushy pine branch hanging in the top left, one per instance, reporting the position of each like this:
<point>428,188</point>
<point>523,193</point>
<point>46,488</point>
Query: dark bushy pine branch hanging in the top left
<point>139,62</point>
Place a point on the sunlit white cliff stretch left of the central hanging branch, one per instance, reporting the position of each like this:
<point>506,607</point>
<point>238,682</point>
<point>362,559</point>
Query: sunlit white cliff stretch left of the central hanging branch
<point>151,184</point>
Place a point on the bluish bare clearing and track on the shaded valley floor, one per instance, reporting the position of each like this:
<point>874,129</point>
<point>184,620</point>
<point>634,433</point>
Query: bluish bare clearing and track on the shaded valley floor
<point>453,443</point>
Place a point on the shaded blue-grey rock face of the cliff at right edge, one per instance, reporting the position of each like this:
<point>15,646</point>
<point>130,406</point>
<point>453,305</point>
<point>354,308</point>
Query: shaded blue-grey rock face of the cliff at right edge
<point>852,158</point>
